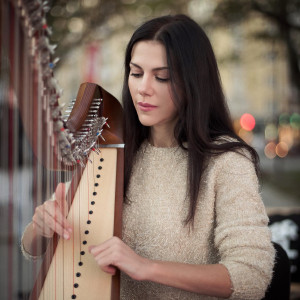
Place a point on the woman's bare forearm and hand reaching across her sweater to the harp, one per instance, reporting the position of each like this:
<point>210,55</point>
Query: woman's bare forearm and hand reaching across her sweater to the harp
<point>211,280</point>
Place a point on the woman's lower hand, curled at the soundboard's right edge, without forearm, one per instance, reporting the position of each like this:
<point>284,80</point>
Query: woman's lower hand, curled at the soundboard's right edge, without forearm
<point>114,253</point>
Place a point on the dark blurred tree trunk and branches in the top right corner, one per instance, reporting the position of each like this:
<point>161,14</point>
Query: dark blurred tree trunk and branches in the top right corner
<point>285,17</point>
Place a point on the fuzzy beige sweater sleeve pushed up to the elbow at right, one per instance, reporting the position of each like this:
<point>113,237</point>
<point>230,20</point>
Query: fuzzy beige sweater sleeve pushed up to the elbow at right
<point>241,232</point>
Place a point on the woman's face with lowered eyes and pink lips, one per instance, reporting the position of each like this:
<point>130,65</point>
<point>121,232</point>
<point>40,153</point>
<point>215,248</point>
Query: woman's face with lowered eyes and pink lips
<point>149,85</point>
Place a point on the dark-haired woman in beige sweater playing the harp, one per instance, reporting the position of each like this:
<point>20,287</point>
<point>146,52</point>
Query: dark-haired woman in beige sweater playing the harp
<point>194,226</point>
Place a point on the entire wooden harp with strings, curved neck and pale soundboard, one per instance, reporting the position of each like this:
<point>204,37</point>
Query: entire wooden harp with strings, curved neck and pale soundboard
<point>39,148</point>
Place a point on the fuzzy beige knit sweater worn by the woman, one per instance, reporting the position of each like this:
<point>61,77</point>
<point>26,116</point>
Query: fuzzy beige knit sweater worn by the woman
<point>230,222</point>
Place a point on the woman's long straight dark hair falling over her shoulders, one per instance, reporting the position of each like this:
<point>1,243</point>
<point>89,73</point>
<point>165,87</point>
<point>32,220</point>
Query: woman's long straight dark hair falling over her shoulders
<point>203,116</point>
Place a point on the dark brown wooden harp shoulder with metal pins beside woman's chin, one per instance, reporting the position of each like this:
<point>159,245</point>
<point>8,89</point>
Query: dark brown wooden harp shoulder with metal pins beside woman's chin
<point>96,116</point>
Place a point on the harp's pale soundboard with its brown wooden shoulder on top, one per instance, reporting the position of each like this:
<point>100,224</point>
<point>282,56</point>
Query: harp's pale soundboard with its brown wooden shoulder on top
<point>95,201</point>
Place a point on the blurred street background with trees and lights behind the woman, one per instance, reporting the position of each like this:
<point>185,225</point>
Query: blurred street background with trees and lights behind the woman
<point>257,45</point>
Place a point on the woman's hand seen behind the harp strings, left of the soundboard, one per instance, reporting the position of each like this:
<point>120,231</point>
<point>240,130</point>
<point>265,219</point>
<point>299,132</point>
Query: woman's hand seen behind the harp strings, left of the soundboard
<point>50,217</point>
